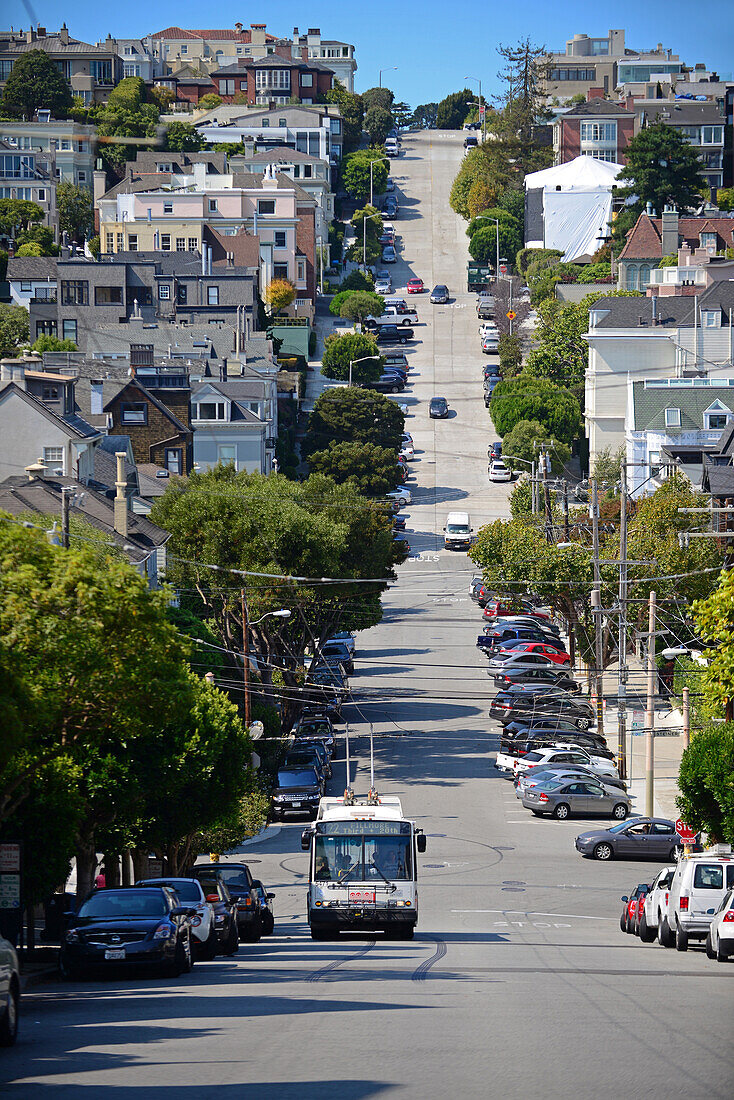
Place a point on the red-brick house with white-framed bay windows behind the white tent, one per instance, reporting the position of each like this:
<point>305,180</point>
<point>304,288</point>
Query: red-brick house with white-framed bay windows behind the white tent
<point>598,128</point>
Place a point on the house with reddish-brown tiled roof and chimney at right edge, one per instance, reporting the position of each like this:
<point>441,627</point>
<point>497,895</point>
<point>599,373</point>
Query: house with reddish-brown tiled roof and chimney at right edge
<point>652,238</point>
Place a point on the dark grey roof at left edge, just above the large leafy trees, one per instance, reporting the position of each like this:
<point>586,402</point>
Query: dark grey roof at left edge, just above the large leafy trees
<point>41,496</point>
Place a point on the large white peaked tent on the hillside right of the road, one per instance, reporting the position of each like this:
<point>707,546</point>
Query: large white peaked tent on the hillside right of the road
<point>569,207</point>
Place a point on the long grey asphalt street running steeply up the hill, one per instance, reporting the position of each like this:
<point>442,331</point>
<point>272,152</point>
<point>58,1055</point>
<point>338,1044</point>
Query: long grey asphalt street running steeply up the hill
<point>519,982</point>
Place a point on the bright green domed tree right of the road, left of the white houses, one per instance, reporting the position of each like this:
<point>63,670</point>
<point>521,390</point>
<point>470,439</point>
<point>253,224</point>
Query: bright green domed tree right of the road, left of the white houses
<point>525,399</point>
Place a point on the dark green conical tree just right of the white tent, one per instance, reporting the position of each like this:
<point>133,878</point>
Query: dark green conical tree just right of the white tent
<point>663,169</point>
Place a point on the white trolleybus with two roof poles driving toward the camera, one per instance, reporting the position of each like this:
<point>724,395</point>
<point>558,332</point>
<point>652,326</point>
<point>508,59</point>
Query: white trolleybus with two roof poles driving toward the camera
<point>363,868</point>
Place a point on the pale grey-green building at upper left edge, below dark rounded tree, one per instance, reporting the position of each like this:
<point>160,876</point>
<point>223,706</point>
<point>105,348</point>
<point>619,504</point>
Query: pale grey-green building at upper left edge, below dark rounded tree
<point>64,147</point>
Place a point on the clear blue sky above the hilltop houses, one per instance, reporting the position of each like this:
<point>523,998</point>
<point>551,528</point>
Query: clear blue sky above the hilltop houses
<point>435,43</point>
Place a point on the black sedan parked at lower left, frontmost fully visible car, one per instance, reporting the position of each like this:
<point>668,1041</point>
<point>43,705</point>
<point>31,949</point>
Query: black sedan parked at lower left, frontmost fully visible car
<point>128,927</point>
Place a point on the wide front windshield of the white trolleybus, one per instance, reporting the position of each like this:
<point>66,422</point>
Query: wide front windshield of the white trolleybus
<point>357,859</point>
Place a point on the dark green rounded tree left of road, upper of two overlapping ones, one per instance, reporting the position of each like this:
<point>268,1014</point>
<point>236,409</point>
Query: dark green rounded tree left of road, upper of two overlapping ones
<point>354,415</point>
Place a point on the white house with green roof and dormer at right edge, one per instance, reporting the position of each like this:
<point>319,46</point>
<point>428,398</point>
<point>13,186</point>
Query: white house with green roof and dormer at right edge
<point>672,424</point>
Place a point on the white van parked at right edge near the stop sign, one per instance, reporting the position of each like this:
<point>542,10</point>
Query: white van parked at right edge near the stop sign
<point>697,890</point>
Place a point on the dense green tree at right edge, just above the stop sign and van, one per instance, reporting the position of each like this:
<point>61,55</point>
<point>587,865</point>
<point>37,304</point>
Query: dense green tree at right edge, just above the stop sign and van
<point>706,783</point>
